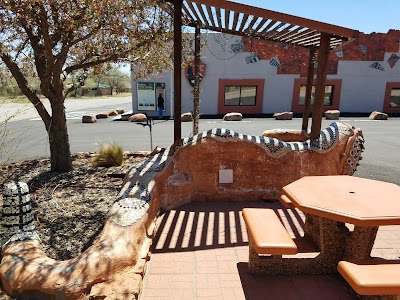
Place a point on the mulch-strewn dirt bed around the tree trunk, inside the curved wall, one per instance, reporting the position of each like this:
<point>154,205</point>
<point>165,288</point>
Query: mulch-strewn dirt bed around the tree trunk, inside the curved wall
<point>69,208</point>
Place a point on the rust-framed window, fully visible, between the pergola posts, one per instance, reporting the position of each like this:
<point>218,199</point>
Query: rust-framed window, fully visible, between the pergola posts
<point>240,95</point>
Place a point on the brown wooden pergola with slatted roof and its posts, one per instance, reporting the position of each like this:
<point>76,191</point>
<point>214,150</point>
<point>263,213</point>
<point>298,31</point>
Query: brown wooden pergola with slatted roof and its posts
<point>245,20</point>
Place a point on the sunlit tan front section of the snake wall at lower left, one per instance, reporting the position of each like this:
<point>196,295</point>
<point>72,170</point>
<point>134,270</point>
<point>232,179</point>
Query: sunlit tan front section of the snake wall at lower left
<point>117,259</point>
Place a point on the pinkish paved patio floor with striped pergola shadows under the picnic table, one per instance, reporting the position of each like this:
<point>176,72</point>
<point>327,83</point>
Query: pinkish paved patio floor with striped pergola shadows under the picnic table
<point>201,252</point>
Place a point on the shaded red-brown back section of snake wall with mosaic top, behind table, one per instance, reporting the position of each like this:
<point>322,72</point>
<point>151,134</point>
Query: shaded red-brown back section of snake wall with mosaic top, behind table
<point>261,166</point>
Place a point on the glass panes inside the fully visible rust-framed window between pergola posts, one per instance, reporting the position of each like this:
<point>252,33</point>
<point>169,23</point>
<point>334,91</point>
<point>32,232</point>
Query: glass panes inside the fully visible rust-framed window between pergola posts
<point>240,95</point>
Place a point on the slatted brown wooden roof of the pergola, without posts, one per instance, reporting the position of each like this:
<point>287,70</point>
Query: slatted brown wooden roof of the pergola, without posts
<point>245,20</point>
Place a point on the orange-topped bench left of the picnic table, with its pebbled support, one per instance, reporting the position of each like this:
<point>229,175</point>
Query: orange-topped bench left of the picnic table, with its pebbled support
<point>267,236</point>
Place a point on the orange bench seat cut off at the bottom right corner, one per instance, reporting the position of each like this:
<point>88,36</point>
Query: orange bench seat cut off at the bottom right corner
<point>372,277</point>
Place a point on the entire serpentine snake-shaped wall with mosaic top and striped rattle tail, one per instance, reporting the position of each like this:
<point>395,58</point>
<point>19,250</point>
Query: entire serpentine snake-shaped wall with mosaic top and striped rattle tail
<point>115,265</point>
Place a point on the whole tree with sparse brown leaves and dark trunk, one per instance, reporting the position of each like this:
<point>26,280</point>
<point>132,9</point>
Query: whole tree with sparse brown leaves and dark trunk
<point>53,39</point>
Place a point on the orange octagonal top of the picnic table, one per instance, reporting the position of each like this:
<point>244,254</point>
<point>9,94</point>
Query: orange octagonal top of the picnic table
<point>349,199</point>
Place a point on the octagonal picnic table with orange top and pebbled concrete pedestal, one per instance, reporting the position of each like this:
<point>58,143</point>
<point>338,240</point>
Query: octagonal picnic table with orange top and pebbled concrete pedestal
<point>331,201</point>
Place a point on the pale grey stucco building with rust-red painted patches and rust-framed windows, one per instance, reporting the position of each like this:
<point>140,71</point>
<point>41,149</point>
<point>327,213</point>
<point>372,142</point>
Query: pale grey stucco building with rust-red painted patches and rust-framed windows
<point>259,78</point>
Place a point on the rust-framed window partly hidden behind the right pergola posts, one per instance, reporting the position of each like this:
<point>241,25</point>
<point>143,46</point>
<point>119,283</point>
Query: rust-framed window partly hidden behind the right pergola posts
<point>333,89</point>
